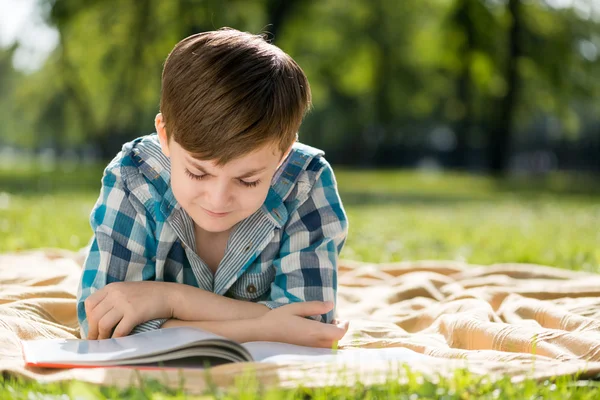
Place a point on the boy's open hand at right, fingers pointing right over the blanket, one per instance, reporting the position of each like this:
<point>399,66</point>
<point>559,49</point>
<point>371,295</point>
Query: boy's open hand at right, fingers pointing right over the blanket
<point>288,324</point>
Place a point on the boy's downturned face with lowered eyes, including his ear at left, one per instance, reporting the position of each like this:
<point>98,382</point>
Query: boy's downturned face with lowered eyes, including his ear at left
<point>217,198</point>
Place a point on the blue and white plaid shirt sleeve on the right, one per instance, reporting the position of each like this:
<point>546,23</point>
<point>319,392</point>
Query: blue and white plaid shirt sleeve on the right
<point>306,267</point>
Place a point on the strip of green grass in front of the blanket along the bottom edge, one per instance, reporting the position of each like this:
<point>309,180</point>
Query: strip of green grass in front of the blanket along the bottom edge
<point>462,385</point>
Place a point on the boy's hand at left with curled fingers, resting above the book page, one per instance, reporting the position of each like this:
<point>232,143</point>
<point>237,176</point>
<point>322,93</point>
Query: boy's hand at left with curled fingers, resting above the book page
<point>124,305</point>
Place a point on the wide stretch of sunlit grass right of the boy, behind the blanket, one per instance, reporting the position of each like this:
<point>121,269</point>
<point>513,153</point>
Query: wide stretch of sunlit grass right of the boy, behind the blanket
<point>405,216</point>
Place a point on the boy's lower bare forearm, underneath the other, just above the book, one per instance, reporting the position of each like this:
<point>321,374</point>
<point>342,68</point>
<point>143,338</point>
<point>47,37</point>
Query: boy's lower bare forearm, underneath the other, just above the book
<point>244,330</point>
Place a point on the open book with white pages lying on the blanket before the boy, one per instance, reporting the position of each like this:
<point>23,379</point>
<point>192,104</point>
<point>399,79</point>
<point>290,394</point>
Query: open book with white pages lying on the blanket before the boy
<point>187,347</point>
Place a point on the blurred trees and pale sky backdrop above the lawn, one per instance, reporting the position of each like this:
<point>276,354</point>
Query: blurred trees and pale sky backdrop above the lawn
<point>477,84</point>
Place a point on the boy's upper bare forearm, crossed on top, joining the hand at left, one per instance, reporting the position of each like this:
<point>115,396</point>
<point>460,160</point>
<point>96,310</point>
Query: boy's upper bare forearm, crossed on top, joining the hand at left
<point>190,303</point>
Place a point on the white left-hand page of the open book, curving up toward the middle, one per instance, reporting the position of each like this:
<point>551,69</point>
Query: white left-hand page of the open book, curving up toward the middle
<point>143,344</point>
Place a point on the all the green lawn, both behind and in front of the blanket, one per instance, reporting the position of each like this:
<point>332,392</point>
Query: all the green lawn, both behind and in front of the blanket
<point>393,216</point>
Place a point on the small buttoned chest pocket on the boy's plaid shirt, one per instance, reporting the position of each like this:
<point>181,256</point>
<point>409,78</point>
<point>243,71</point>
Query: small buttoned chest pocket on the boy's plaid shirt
<point>254,284</point>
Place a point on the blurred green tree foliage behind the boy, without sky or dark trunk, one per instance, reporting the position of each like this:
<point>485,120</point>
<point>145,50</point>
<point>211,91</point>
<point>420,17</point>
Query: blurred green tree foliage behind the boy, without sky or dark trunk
<point>378,64</point>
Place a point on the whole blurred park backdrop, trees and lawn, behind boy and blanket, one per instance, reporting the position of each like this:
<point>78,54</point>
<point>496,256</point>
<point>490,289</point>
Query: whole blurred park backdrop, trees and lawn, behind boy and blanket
<point>459,129</point>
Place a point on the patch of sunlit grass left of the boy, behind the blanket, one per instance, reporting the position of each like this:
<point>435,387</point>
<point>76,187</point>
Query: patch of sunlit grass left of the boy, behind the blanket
<point>47,209</point>
